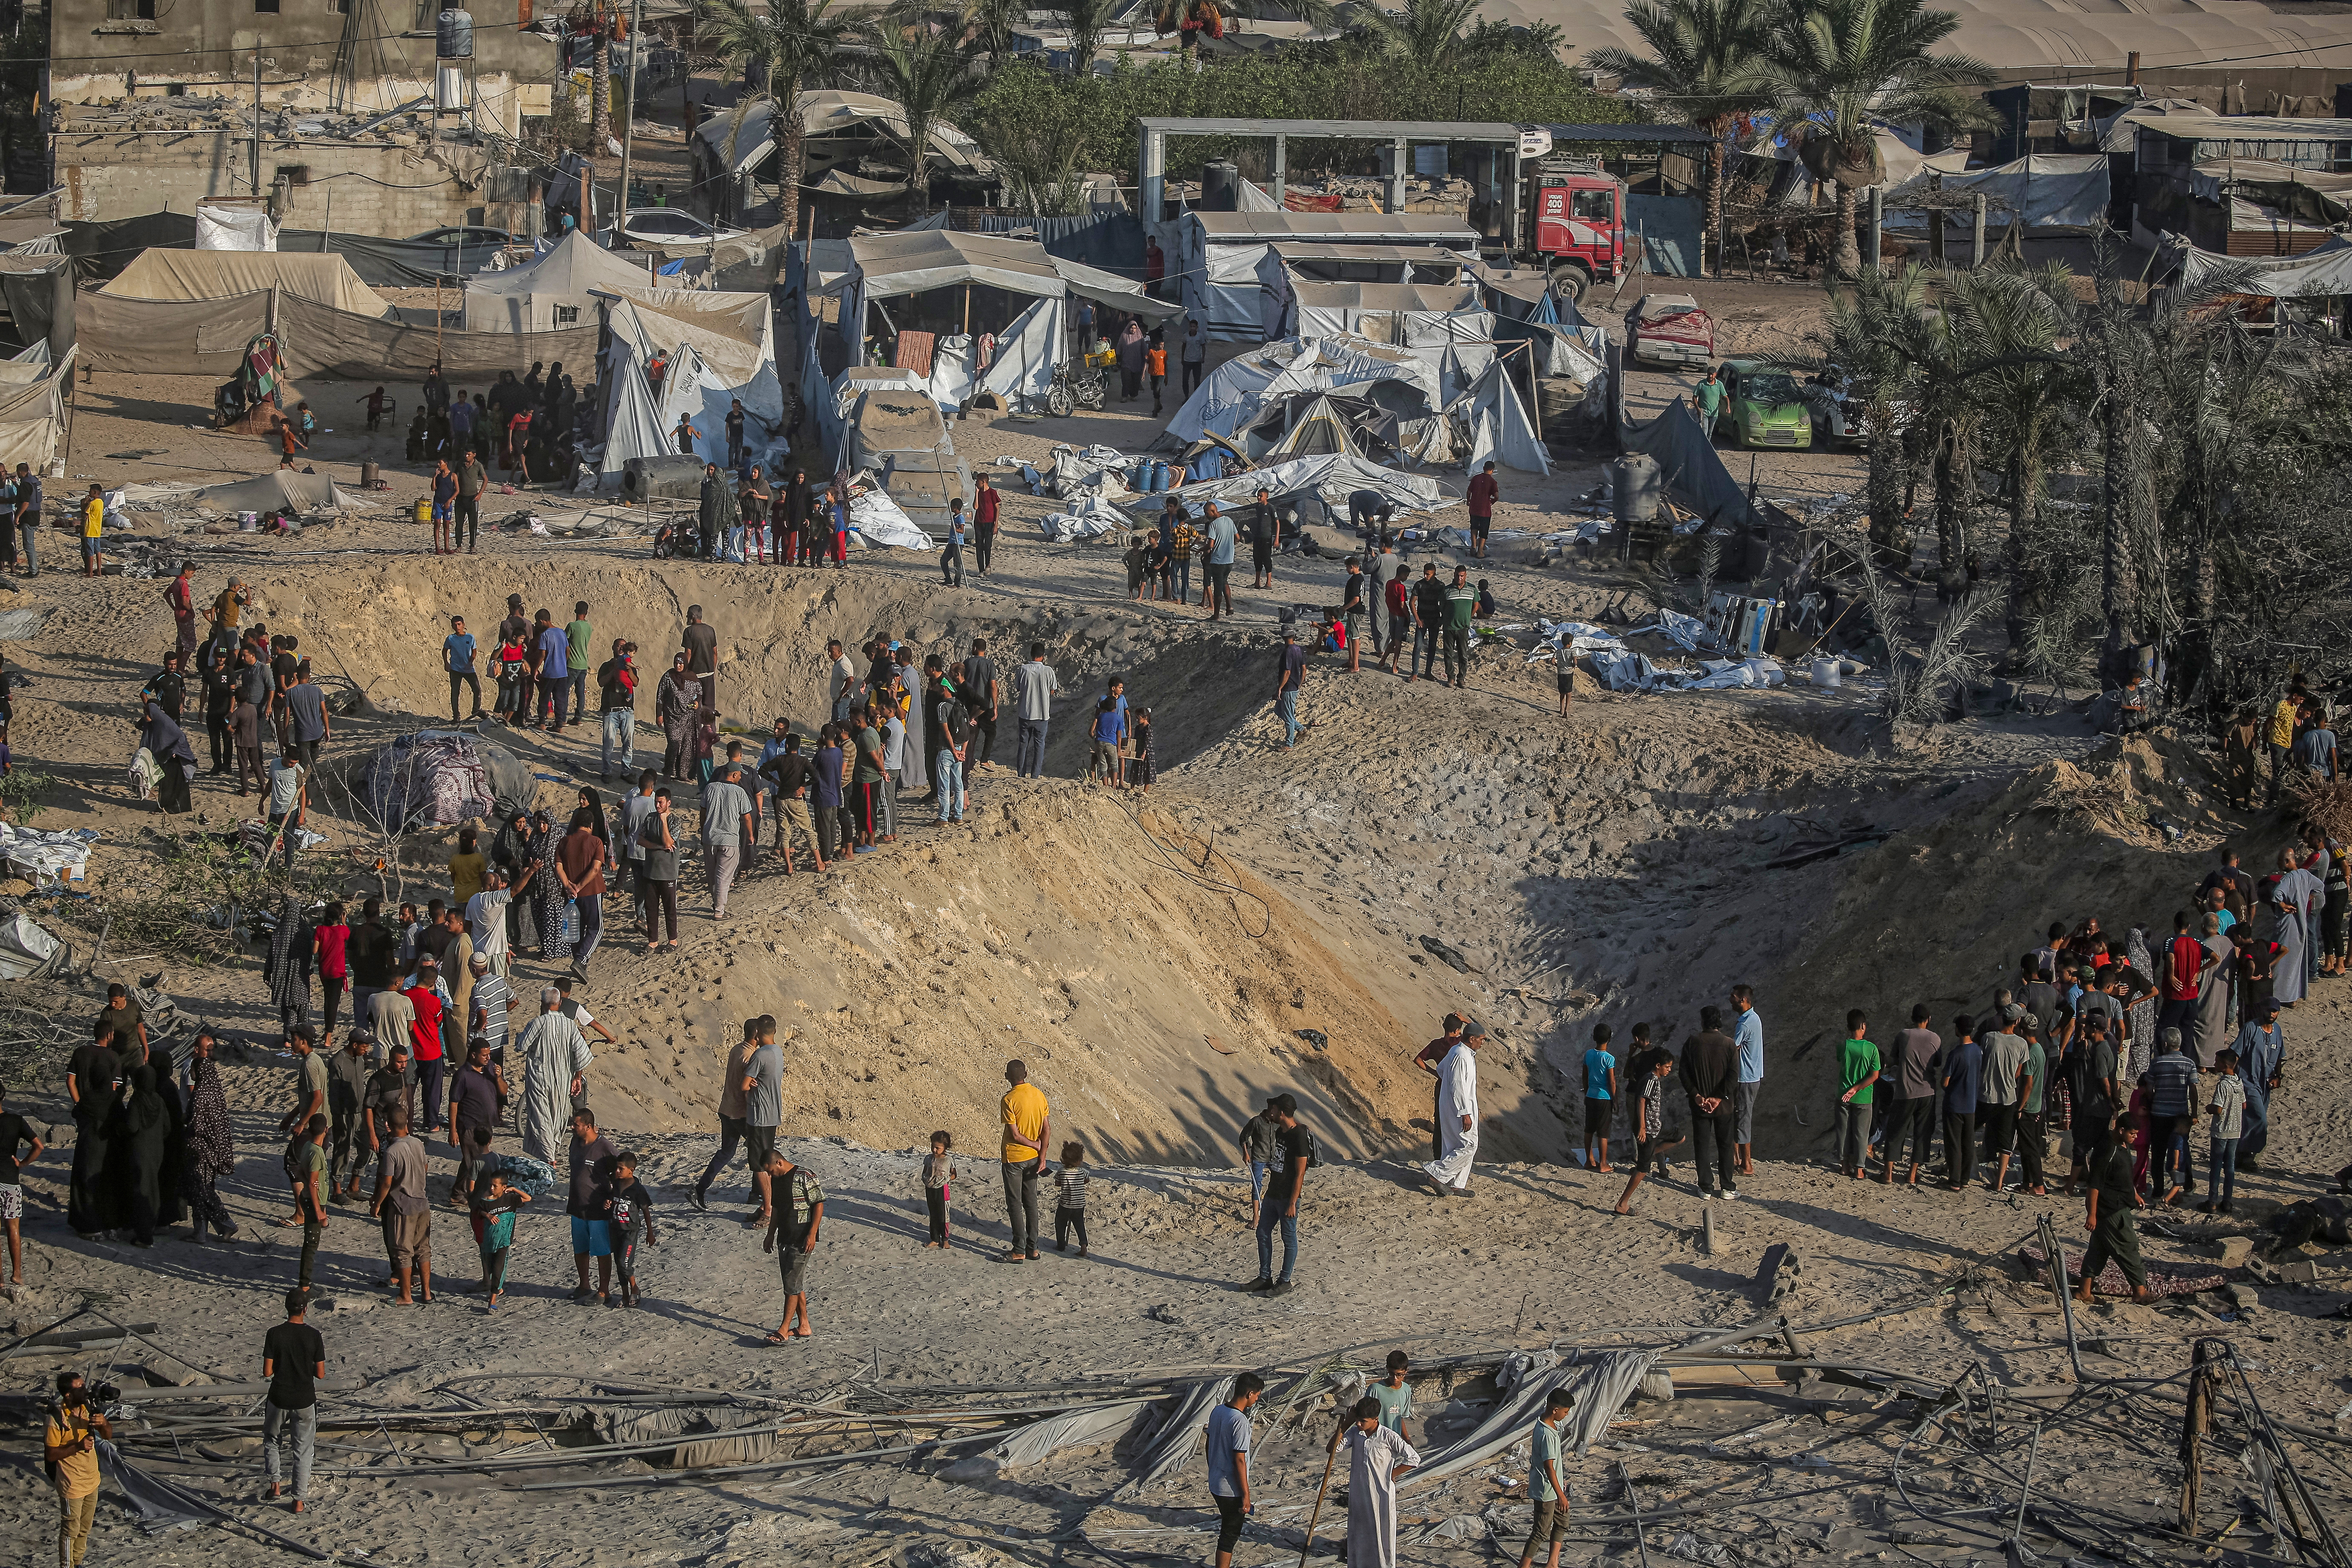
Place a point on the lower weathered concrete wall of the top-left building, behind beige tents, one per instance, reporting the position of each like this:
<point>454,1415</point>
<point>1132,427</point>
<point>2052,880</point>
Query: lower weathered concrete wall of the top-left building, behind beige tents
<point>375,189</point>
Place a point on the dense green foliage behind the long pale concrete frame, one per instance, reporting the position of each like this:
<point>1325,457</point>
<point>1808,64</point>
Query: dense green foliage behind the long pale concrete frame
<point>1097,114</point>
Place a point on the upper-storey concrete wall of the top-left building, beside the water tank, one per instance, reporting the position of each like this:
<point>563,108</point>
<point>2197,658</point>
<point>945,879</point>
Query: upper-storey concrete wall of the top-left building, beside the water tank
<point>208,48</point>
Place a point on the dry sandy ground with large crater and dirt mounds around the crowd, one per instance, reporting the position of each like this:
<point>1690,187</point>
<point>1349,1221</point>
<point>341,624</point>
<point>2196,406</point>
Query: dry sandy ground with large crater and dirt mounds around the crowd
<point>1156,967</point>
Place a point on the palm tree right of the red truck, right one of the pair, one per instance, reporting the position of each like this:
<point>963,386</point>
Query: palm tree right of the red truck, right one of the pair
<point>1845,65</point>
